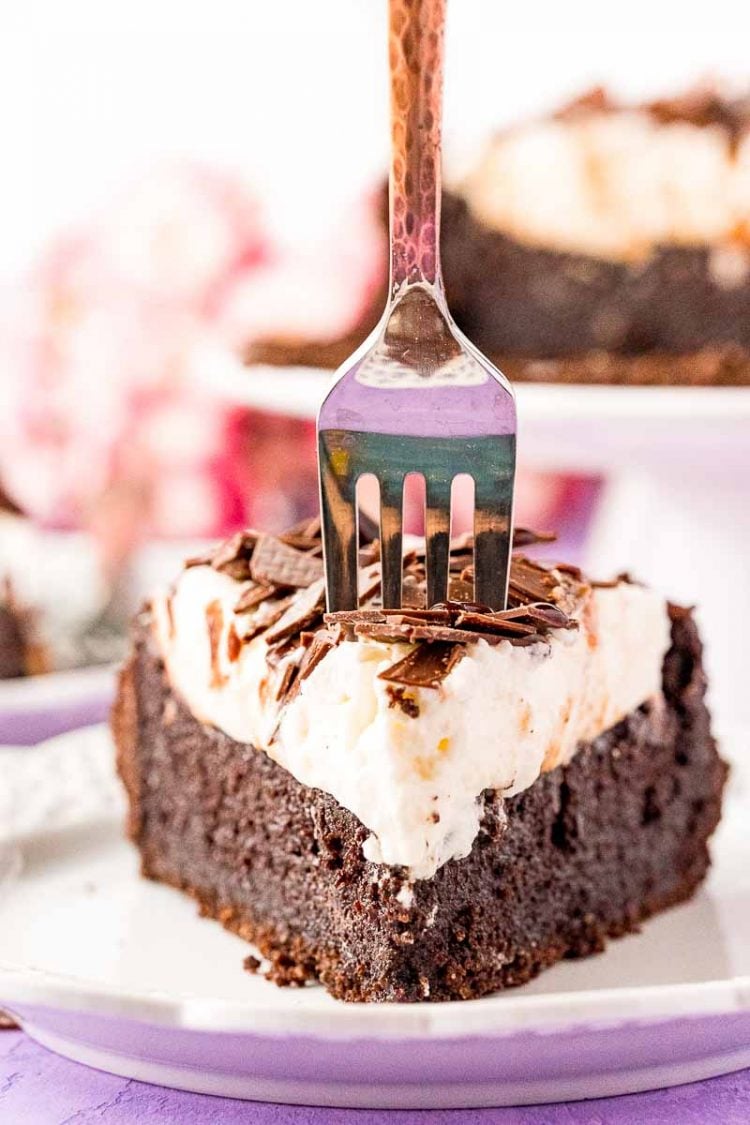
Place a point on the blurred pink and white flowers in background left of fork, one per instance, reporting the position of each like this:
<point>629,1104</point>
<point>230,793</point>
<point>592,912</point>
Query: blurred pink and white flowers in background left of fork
<point>101,425</point>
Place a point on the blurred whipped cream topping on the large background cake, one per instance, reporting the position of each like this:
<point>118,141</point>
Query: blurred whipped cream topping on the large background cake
<point>613,185</point>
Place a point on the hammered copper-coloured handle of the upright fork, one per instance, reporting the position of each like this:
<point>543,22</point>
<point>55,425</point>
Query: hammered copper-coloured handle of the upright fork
<point>417,95</point>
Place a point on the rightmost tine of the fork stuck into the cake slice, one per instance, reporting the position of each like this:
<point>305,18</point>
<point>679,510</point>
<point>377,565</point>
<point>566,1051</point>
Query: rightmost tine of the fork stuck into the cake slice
<point>493,526</point>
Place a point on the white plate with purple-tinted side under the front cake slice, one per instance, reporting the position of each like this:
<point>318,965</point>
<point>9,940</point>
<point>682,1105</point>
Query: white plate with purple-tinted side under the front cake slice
<point>121,974</point>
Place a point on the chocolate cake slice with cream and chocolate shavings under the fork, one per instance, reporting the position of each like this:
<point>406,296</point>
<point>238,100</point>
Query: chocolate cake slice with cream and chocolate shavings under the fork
<point>422,805</point>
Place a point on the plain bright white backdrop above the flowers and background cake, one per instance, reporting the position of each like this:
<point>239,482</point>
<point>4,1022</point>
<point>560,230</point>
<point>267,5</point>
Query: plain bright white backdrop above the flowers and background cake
<point>294,93</point>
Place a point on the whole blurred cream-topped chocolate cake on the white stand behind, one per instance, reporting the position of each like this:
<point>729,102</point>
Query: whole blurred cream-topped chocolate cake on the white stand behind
<point>606,244</point>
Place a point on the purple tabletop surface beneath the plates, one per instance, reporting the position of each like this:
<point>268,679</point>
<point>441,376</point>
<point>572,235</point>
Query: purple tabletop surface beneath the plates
<point>40,1088</point>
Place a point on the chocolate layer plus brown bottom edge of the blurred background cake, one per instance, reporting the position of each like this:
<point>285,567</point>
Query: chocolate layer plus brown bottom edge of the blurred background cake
<point>545,317</point>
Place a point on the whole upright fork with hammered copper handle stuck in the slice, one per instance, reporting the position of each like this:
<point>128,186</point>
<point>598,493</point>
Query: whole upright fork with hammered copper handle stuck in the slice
<point>418,397</point>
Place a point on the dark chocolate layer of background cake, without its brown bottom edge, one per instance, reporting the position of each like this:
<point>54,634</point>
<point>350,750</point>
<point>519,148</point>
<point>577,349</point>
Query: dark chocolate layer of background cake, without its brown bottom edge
<point>517,300</point>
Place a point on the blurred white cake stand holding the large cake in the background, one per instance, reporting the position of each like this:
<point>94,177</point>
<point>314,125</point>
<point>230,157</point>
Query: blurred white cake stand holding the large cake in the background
<point>676,505</point>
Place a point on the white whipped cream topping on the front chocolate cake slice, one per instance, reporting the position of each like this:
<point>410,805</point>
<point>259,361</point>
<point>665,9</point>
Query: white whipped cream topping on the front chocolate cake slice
<point>503,715</point>
